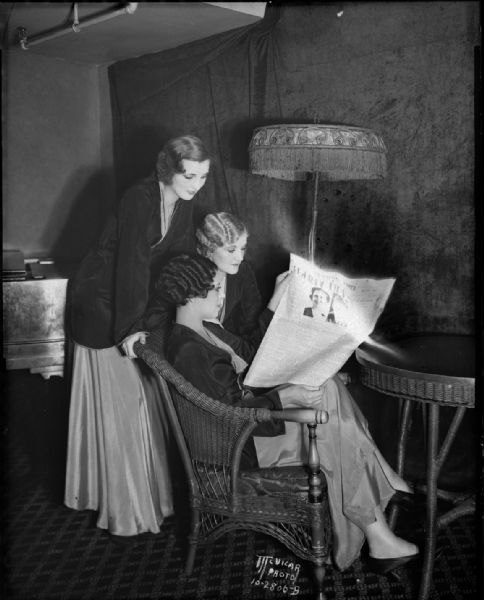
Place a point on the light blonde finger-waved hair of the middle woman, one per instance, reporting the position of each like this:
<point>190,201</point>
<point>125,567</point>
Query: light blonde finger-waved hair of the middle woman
<point>218,230</point>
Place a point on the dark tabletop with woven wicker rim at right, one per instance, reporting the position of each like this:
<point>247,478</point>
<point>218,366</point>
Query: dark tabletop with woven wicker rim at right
<point>427,367</point>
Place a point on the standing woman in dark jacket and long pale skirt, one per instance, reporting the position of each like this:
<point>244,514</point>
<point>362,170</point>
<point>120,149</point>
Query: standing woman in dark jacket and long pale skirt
<point>116,461</point>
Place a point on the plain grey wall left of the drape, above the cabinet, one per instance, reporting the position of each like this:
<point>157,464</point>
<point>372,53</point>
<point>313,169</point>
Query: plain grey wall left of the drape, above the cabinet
<point>57,155</point>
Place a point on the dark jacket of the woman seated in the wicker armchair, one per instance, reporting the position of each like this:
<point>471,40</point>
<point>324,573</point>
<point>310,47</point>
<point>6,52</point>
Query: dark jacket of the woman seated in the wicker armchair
<point>209,368</point>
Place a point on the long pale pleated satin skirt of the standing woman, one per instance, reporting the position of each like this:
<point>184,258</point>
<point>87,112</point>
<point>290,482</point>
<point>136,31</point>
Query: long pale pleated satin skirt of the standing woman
<point>117,450</point>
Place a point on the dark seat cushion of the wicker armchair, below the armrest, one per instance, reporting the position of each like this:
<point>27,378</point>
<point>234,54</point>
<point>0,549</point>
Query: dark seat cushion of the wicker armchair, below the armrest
<point>274,480</point>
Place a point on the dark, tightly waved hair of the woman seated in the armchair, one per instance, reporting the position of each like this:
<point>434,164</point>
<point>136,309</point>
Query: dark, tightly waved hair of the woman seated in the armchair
<point>184,277</point>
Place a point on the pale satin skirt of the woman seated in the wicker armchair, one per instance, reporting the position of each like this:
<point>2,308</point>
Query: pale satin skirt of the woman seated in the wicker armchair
<point>356,481</point>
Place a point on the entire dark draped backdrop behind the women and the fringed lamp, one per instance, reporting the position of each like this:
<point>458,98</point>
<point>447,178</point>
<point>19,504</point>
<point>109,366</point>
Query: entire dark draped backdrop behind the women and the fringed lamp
<point>403,69</point>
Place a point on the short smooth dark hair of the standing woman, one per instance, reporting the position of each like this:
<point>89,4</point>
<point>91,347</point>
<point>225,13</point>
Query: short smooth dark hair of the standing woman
<point>169,161</point>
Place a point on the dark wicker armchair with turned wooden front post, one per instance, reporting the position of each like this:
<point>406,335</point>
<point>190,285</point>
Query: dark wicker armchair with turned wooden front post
<point>287,503</point>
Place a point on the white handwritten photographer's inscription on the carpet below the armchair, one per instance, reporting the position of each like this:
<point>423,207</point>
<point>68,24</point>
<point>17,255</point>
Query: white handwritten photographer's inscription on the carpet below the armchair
<point>276,575</point>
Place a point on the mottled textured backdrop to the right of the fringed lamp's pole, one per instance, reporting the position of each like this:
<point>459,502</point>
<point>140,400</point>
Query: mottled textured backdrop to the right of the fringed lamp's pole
<point>405,70</point>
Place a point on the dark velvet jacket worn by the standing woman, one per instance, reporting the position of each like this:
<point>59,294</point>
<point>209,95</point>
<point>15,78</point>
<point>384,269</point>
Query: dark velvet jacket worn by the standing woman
<point>108,297</point>
